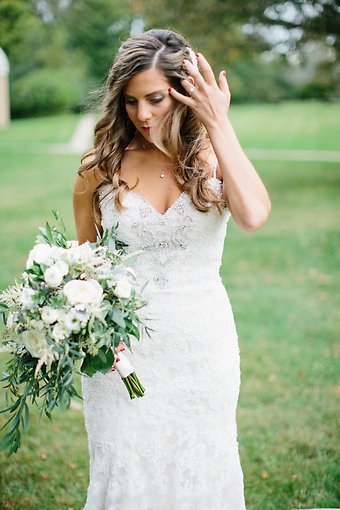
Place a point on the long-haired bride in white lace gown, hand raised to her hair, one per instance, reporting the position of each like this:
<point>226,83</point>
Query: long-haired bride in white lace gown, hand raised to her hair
<point>167,166</point>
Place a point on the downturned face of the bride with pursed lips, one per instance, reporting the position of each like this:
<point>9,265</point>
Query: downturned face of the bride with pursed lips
<point>147,99</point>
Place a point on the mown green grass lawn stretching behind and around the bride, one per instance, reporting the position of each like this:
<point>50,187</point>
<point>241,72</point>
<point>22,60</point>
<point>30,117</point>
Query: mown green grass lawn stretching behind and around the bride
<point>283,284</point>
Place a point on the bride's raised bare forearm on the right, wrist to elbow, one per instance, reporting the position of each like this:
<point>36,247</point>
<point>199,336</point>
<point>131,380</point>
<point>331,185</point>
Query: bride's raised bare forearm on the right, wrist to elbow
<point>243,189</point>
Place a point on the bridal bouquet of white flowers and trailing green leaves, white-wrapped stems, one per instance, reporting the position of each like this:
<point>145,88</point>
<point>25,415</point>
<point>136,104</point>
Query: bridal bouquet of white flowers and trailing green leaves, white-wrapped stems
<point>73,305</point>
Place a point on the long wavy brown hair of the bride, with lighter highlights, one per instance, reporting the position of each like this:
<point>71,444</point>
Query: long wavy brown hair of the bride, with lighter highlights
<point>180,135</point>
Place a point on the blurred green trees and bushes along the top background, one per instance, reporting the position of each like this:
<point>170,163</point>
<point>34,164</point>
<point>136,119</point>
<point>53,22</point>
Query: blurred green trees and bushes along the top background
<point>271,50</point>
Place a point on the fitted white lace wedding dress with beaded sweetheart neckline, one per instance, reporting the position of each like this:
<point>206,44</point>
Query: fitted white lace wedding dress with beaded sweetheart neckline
<point>176,447</point>
